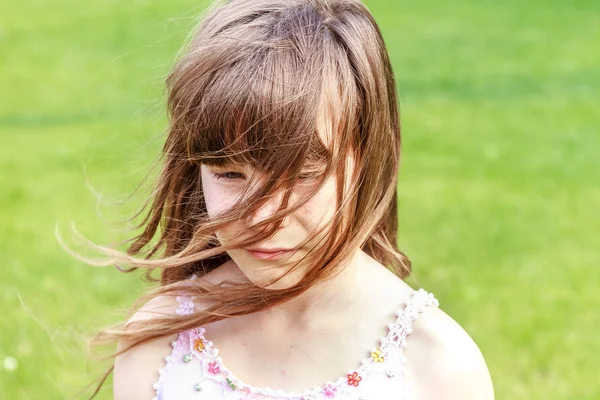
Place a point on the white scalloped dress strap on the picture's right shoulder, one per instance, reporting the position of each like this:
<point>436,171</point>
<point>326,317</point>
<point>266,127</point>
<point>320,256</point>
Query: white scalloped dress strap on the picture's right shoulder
<point>418,302</point>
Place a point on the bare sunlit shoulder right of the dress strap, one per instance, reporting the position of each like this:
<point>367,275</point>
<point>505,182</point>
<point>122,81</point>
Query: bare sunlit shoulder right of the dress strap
<point>444,362</point>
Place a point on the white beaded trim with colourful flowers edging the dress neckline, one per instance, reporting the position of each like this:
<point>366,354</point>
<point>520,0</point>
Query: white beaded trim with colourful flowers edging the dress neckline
<point>215,371</point>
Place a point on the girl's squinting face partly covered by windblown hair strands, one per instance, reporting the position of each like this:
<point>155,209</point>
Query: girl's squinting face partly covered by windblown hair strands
<point>223,186</point>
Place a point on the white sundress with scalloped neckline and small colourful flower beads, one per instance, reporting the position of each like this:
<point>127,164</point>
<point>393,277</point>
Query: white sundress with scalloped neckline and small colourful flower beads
<point>194,370</point>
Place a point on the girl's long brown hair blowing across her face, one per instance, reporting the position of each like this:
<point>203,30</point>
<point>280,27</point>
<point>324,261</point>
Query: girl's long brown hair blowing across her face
<point>262,82</point>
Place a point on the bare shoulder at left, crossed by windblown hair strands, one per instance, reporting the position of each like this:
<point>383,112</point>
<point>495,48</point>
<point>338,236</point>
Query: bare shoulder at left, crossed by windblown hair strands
<point>136,370</point>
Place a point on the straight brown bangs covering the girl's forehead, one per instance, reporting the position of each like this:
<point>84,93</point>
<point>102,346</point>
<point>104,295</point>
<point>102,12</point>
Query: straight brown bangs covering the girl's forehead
<point>266,119</point>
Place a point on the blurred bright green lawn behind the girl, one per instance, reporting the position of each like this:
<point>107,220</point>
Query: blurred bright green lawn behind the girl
<point>499,188</point>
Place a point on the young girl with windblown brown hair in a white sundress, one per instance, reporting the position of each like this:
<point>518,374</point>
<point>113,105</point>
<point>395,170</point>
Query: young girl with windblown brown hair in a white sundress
<point>274,225</point>
